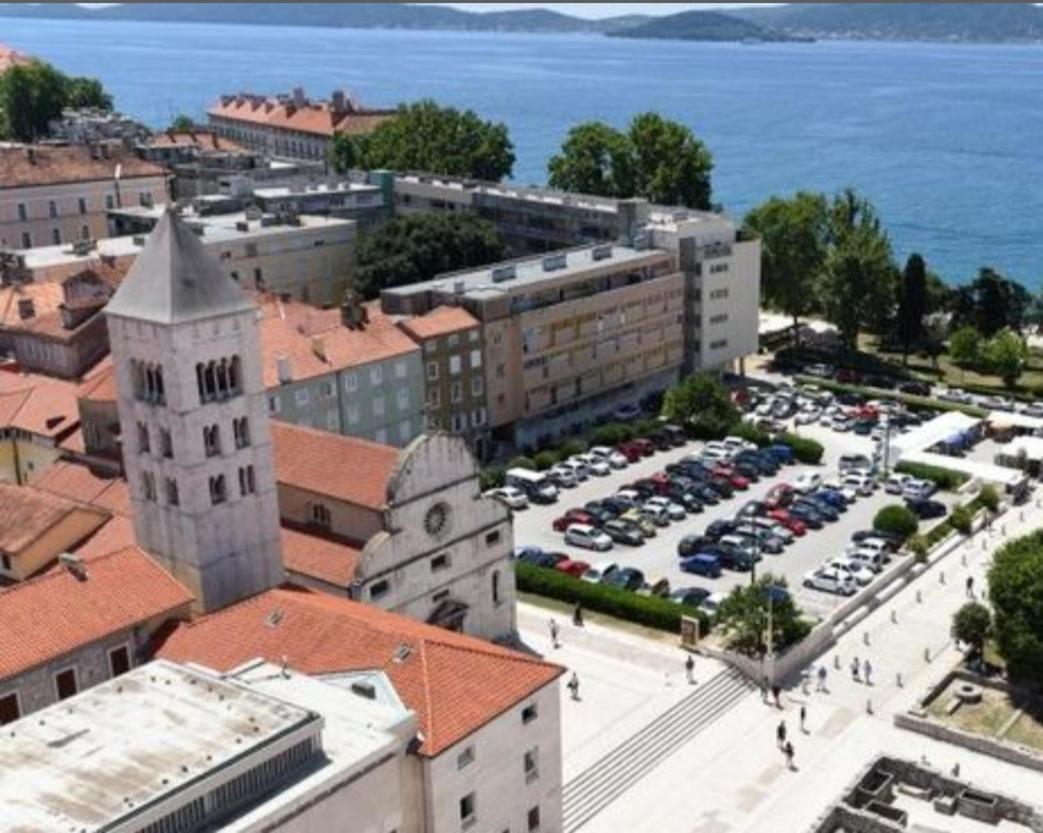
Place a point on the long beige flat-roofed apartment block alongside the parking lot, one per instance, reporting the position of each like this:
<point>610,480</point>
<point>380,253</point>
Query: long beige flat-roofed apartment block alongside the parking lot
<point>569,337</point>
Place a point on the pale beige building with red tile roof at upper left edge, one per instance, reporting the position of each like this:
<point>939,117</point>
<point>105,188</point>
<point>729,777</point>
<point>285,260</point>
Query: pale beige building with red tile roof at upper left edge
<point>57,195</point>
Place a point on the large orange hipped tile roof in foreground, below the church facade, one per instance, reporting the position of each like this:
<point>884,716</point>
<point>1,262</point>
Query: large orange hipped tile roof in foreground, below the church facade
<point>456,684</point>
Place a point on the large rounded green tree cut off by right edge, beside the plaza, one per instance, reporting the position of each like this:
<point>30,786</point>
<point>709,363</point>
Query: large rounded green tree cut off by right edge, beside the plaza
<point>1016,593</point>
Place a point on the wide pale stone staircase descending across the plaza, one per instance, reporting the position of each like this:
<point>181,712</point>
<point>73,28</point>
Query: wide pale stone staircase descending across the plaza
<point>609,778</point>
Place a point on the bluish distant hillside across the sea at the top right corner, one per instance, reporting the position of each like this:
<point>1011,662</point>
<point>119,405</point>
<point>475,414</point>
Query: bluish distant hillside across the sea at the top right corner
<point>961,22</point>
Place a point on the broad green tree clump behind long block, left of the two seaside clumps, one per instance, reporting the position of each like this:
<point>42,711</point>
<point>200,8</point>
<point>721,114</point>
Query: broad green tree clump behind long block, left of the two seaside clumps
<point>426,137</point>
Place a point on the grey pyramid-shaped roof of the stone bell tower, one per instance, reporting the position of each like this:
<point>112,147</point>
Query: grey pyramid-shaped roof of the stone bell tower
<point>176,280</point>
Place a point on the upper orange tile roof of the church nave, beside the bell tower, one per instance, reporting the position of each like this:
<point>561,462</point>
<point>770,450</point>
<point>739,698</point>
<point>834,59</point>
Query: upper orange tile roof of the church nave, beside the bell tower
<point>346,469</point>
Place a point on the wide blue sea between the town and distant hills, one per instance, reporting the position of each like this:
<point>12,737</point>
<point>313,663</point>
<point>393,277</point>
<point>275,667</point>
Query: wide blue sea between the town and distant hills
<point>948,140</point>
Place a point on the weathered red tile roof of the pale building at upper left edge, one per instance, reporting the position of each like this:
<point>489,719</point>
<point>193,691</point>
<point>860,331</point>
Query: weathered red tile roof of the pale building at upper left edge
<point>43,165</point>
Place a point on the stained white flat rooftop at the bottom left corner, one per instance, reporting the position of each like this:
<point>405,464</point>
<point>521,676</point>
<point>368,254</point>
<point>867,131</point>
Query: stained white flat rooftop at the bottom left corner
<point>115,750</point>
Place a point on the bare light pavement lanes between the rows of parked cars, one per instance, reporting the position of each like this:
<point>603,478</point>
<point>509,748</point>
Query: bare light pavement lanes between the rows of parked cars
<point>659,557</point>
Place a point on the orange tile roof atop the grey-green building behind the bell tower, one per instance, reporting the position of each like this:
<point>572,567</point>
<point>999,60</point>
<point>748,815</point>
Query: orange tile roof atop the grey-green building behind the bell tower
<point>317,342</point>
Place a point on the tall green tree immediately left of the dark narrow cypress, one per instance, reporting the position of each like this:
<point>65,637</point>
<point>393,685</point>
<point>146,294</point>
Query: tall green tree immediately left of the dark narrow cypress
<point>859,272</point>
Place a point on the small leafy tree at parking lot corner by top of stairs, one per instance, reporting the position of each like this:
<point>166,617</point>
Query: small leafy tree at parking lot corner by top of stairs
<point>744,616</point>
